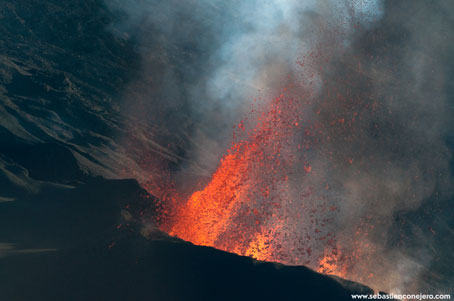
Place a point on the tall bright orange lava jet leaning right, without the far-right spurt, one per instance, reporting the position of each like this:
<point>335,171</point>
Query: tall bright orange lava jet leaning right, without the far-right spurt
<point>228,213</point>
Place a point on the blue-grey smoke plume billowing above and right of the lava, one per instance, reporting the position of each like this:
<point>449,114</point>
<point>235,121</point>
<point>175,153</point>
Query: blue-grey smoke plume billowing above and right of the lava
<point>374,141</point>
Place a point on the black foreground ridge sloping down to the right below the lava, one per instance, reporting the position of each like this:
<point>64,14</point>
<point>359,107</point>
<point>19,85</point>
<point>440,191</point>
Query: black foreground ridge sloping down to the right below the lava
<point>81,243</point>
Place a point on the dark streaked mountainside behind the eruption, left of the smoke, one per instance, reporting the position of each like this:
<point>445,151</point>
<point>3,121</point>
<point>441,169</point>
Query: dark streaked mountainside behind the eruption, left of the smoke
<point>61,71</point>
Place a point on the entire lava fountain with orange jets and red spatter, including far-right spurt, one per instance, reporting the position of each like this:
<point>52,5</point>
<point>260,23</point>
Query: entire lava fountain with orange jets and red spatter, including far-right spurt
<point>257,202</point>
